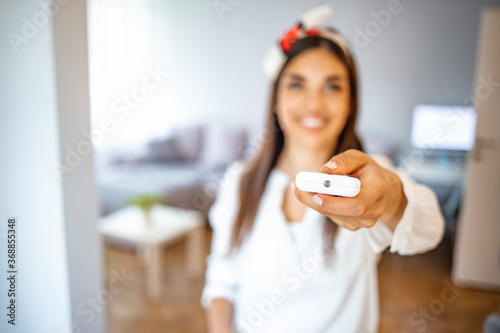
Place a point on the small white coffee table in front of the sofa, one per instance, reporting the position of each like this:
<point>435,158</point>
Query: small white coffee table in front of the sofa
<point>167,226</point>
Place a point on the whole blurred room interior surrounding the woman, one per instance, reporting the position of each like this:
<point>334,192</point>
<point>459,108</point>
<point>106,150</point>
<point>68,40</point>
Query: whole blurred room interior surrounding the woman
<point>120,117</point>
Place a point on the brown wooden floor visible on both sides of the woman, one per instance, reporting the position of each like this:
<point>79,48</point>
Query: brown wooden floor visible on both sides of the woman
<point>416,295</point>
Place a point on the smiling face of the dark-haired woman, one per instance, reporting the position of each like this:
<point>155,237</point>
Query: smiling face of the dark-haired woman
<point>313,99</point>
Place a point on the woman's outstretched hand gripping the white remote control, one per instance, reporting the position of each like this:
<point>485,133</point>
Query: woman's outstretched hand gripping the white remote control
<point>381,196</point>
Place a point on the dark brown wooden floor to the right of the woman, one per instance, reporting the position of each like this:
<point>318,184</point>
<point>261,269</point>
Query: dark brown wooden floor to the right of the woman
<point>416,295</point>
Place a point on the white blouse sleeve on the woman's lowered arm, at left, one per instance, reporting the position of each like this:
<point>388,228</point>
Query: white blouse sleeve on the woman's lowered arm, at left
<point>220,277</point>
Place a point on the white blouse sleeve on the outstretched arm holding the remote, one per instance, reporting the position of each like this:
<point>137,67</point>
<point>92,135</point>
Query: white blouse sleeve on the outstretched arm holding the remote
<point>420,229</point>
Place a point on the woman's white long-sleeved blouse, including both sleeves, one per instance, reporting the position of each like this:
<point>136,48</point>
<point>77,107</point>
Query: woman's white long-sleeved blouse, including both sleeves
<point>280,281</point>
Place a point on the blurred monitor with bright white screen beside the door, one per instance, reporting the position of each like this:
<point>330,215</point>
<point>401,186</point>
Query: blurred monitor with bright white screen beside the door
<point>443,127</point>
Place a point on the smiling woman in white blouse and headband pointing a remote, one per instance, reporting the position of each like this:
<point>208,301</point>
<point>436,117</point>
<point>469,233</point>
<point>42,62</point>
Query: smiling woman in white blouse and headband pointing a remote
<point>284,260</point>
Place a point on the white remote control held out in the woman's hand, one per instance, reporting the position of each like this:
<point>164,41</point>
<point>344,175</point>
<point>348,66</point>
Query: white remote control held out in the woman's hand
<point>319,182</point>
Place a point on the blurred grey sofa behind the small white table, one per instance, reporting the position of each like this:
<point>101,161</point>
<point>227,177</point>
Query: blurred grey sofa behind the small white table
<point>184,167</point>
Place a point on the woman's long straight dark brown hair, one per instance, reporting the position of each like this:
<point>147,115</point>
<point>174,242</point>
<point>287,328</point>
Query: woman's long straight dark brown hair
<point>257,171</point>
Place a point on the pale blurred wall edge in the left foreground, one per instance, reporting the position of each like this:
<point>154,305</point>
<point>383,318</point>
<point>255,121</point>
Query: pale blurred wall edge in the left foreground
<point>44,107</point>
